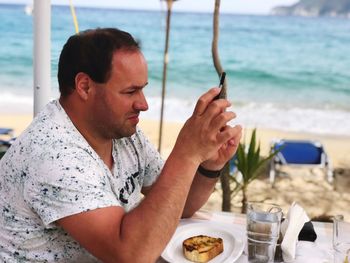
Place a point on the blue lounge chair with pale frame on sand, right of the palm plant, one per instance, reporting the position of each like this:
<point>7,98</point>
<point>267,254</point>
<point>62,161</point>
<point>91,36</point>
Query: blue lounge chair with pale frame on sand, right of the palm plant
<point>300,153</point>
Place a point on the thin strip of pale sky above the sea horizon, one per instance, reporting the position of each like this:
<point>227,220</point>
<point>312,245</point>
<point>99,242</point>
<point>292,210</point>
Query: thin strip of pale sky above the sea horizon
<point>227,6</point>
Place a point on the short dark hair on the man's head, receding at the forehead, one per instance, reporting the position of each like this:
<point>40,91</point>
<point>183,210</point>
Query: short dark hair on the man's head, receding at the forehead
<point>91,52</point>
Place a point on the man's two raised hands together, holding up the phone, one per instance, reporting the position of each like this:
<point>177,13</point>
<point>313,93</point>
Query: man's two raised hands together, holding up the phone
<point>206,138</point>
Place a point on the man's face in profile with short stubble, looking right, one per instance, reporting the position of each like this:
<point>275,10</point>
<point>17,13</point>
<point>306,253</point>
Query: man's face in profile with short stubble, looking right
<point>116,104</point>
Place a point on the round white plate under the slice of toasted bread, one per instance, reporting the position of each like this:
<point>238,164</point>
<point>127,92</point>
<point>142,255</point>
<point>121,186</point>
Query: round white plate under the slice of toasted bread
<point>233,241</point>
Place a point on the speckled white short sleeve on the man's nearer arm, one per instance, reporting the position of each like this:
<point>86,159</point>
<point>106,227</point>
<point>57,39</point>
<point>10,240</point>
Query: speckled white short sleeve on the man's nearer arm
<point>67,183</point>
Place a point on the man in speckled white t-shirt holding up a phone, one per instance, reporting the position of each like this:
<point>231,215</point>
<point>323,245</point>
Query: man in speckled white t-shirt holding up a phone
<point>70,186</point>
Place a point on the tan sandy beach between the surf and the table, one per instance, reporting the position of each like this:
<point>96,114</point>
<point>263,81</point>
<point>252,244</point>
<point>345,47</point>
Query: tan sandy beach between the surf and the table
<point>307,187</point>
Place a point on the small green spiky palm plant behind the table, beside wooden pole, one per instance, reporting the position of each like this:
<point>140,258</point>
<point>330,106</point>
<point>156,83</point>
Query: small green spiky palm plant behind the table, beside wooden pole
<point>248,162</point>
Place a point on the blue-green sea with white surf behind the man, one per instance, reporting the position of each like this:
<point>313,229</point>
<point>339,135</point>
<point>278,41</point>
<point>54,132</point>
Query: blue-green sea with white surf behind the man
<point>286,73</point>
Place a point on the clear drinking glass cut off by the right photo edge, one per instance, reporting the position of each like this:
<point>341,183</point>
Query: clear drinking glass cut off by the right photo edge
<point>341,240</point>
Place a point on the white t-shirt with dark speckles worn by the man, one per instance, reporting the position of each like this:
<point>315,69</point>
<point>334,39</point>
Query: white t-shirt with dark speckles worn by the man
<point>51,172</point>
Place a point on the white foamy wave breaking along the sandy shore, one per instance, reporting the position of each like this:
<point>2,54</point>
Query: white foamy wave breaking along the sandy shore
<point>263,115</point>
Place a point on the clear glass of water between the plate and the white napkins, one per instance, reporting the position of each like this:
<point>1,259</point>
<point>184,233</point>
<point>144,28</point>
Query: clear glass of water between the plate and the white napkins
<point>263,228</point>
